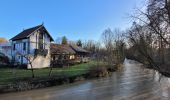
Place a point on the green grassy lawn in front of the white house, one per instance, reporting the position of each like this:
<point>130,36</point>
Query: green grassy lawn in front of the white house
<point>8,75</point>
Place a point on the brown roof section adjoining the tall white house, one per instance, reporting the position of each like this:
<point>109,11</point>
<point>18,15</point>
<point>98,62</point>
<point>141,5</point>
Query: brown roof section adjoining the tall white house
<point>61,49</point>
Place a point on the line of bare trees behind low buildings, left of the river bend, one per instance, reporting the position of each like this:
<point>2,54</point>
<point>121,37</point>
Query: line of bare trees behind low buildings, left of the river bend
<point>110,48</point>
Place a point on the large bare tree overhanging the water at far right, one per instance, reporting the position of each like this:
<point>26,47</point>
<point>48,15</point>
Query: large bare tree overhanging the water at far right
<point>156,18</point>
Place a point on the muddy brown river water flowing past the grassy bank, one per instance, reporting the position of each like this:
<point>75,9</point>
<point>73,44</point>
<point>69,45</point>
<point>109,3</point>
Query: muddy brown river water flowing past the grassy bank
<point>131,83</point>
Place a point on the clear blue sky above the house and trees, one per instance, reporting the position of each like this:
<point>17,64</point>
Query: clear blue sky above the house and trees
<point>75,19</point>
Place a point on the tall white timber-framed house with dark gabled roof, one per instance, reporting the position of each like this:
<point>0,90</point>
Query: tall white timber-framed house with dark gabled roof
<point>32,45</point>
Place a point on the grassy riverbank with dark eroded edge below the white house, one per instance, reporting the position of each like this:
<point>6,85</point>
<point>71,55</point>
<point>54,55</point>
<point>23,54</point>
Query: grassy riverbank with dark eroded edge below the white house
<point>12,80</point>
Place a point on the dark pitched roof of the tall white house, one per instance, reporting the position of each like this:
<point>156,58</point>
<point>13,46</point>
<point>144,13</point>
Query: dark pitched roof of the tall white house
<point>25,33</point>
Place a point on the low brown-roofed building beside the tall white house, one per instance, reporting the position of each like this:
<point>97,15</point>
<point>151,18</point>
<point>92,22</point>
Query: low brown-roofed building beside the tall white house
<point>68,54</point>
